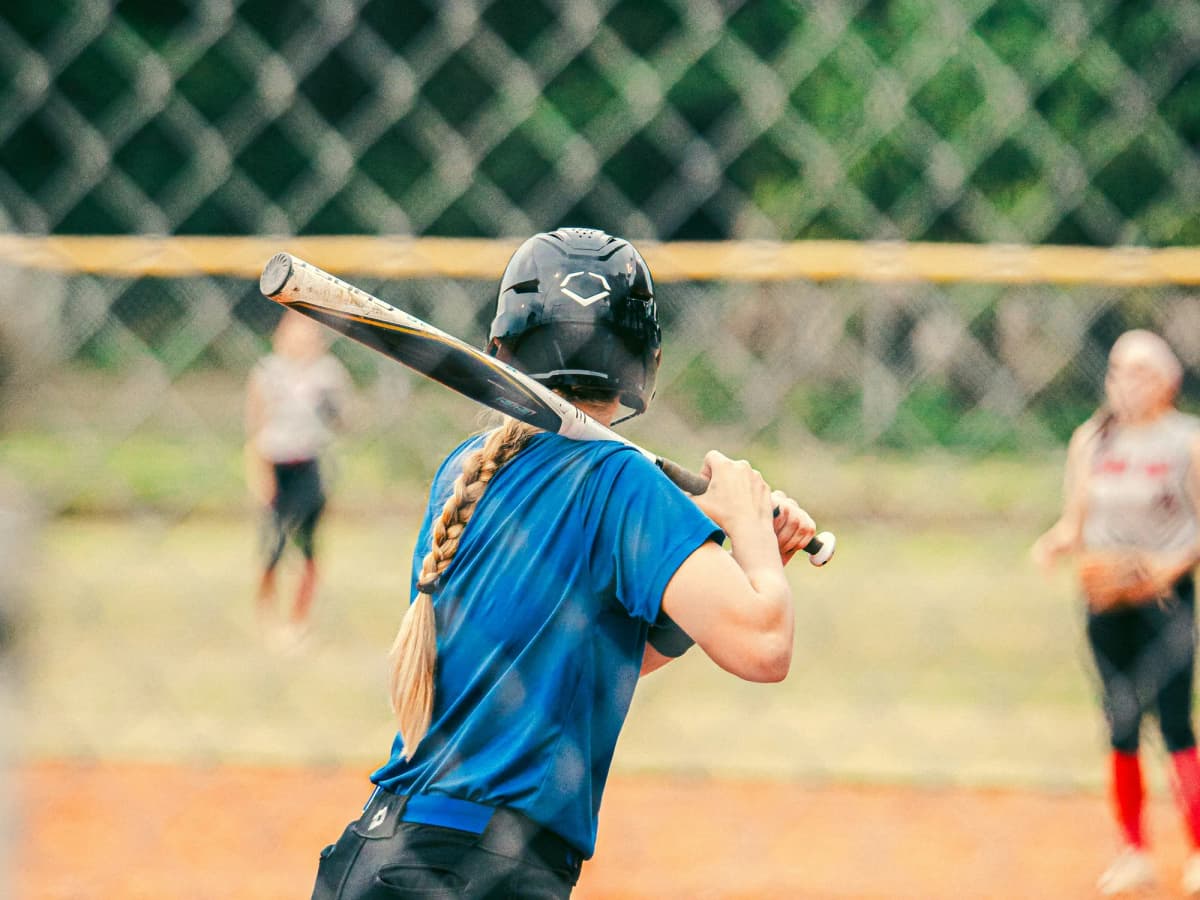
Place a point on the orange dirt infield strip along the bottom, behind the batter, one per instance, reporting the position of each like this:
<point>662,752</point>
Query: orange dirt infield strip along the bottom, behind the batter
<point>125,832</point>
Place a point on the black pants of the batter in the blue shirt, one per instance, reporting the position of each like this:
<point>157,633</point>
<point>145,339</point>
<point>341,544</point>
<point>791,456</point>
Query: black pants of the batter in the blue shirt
<point>386,855</point>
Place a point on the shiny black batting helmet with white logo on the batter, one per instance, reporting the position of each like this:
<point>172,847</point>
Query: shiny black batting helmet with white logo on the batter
<point>577,310</point>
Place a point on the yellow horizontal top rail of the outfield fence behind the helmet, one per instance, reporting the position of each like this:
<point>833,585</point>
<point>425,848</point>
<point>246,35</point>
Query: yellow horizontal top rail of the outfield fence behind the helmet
<point>395,257</point>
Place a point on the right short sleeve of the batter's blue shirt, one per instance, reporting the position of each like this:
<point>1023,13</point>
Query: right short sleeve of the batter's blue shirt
<point>646,529</point>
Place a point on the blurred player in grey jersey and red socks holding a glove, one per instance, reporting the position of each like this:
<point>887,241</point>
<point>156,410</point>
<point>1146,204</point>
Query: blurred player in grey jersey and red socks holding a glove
<point>1131,519</point>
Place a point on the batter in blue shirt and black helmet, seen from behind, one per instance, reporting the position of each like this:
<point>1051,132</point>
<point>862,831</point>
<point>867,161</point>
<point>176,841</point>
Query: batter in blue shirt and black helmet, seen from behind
<point>549,575</point>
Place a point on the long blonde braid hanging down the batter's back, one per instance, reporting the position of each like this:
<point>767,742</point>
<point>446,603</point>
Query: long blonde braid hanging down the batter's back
<point>416,649</point>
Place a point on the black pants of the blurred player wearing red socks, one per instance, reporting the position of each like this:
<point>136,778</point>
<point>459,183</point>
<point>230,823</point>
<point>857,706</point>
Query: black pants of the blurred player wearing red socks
<point>1145,657</point>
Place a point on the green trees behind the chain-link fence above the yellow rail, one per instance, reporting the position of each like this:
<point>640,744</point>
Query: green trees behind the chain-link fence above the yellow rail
<point>891,119</point>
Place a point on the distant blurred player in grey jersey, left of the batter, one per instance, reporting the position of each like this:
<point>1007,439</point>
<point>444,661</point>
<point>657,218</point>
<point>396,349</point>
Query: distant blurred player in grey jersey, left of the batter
<point>296,403</point>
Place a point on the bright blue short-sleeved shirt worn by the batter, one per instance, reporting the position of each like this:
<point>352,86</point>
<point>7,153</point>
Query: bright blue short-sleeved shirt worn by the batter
<point>543,620</point>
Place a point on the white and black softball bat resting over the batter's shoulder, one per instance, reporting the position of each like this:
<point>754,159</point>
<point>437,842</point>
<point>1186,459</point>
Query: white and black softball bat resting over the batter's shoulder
<point>458,365</point>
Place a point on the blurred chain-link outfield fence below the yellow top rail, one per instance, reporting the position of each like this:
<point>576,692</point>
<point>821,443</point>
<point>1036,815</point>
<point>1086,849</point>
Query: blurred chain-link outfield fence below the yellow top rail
<point>106,371</point>
